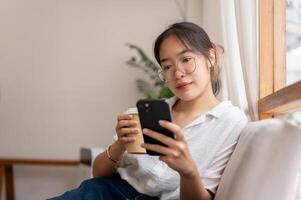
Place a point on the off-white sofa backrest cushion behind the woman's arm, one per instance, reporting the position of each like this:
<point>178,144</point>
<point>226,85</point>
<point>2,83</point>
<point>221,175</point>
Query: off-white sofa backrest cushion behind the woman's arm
<point>265,163</point>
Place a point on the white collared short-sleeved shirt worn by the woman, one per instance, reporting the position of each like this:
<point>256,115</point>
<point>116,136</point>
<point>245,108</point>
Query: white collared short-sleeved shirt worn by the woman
<point>211,138</point>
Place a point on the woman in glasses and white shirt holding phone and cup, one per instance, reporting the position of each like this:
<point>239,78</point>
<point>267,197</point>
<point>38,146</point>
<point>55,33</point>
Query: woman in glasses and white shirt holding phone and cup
<point>206,130</point>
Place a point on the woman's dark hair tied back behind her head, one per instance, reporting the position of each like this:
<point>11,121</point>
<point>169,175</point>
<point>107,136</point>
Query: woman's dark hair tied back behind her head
<point>193,36</point>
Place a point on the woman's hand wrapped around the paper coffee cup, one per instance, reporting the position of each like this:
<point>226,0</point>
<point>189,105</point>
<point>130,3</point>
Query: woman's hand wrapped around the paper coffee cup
<point>126,127</point>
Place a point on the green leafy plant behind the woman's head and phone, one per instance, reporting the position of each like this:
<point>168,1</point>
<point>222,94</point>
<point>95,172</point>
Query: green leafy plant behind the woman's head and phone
<point>153,88</point>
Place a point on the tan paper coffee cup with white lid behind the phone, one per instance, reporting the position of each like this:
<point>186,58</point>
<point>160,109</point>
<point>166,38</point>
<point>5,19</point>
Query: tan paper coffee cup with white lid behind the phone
<point>135,147</point>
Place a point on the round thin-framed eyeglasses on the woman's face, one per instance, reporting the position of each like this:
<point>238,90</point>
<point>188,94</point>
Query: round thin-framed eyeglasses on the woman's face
<point>186,65</point>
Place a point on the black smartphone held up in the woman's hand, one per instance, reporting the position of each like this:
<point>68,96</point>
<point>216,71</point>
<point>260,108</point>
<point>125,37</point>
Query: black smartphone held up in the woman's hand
<point>150,112</point>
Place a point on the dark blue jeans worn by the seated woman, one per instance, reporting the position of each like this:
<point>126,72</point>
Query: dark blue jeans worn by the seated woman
<point>104,189</point>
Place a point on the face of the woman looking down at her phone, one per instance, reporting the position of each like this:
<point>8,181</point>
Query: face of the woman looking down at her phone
<point>186,86</point>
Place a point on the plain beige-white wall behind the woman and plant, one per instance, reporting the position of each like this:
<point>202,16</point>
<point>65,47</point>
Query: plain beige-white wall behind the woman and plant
<point>63,78</point>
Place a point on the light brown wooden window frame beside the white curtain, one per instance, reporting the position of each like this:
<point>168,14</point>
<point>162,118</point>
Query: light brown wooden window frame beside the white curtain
<point>275,97</point>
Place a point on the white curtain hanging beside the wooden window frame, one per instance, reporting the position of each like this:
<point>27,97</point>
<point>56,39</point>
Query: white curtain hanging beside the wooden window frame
<point>240,67</point>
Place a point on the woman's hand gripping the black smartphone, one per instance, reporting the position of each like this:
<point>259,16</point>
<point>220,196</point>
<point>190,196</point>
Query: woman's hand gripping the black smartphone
<point>176,155</point>
